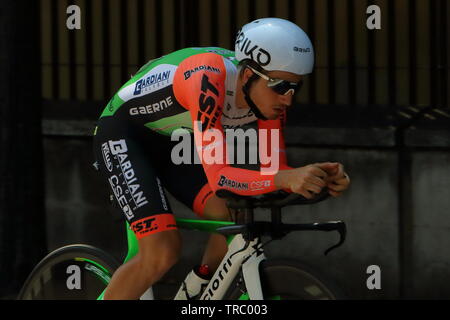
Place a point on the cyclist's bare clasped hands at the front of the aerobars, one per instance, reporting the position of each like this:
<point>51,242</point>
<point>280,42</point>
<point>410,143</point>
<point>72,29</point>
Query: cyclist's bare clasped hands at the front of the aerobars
<point>307,181</point>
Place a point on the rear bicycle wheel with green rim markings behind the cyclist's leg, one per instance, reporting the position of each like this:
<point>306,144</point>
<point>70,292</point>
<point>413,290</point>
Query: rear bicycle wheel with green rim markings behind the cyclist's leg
<point>74,272</point>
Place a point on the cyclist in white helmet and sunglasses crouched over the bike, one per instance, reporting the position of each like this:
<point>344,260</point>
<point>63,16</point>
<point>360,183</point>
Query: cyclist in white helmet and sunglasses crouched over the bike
<point>201,89</point>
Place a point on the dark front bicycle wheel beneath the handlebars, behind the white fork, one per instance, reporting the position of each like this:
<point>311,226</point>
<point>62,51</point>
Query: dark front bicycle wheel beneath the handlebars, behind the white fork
<point>288,280</point>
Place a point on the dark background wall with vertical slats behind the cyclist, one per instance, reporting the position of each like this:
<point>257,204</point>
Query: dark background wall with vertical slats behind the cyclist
<point>377,102</point>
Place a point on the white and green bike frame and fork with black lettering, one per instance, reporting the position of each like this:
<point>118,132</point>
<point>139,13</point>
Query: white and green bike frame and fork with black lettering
<point>241,253</point>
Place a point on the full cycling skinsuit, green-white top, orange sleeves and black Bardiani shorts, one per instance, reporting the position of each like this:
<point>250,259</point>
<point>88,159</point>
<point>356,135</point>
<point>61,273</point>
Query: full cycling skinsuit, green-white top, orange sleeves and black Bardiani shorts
<point>170,93</point>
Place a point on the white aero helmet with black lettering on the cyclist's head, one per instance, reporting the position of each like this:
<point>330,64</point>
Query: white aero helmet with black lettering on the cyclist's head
<point>276,45</point>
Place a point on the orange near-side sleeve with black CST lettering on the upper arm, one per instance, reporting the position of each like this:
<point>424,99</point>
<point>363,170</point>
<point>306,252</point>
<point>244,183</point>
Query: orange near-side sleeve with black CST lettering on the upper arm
<point>199,85</point>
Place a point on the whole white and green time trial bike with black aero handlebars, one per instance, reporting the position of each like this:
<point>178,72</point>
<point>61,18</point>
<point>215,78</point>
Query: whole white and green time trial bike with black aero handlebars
<point>82,272</point>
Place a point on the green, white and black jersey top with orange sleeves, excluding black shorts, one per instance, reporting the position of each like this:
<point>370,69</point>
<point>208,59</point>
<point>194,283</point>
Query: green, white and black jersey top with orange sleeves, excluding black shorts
<point>192,84</point>
